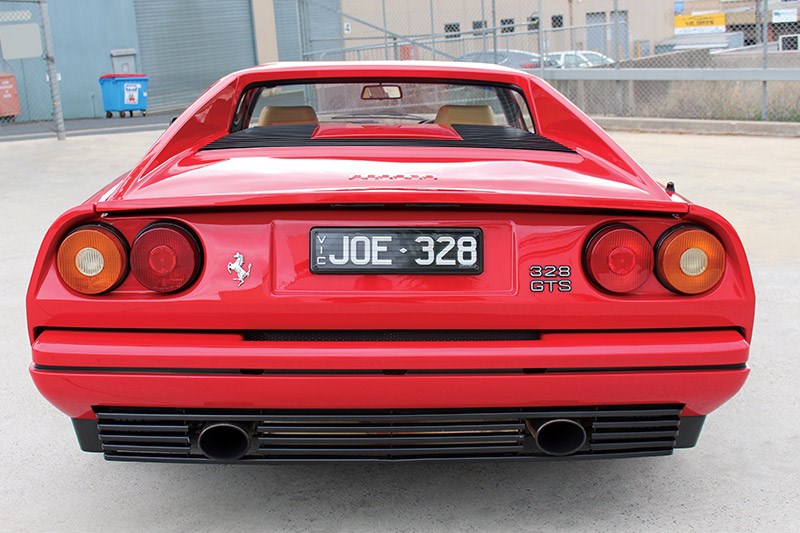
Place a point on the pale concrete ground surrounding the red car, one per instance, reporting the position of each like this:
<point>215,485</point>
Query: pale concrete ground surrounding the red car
<point>744,475</point>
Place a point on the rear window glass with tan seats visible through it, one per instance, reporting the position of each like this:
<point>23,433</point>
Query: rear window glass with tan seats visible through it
<point>384,102</point>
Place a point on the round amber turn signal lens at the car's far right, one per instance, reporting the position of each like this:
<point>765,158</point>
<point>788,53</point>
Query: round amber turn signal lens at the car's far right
<point>690,260</point>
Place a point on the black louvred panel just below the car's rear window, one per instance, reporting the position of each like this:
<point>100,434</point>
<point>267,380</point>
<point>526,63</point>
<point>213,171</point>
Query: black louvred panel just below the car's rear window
<point>472,136</point>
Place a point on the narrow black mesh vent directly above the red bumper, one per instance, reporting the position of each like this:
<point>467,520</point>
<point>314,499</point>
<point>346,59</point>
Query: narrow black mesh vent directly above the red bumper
<point>423,335</point>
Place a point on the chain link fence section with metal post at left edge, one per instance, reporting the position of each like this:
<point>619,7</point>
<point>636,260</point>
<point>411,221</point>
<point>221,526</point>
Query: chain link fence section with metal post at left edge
<point>27,91</point>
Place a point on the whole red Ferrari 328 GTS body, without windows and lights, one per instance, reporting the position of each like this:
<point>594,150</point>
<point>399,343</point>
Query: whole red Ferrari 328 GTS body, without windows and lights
<point>388,366</point>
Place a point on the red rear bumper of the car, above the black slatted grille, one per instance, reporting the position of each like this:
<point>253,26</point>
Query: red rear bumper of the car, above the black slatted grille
<point>81,372</point>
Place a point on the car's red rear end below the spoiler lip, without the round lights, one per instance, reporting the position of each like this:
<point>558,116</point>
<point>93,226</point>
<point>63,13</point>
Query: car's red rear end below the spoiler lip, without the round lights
<point>430,365</point>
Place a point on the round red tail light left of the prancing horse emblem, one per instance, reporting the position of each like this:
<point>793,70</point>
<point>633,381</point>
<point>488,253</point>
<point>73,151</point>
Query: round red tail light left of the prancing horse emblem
<point>165,257</point>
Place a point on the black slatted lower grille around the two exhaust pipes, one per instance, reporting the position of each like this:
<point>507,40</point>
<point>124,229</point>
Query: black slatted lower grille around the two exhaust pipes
<point>391,435</point>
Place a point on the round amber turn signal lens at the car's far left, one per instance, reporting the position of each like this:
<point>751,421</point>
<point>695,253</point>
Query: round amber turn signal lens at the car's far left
<point>92,259</point>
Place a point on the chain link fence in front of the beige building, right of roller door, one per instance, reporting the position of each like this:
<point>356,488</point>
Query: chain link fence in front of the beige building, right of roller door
<point>703,59</point>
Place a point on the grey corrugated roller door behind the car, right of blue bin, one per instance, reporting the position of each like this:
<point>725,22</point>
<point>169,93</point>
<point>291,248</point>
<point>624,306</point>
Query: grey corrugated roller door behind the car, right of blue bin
<point>186,45</point>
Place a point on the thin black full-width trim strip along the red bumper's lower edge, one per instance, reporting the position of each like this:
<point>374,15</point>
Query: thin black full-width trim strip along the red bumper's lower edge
<point>399,372</point>
